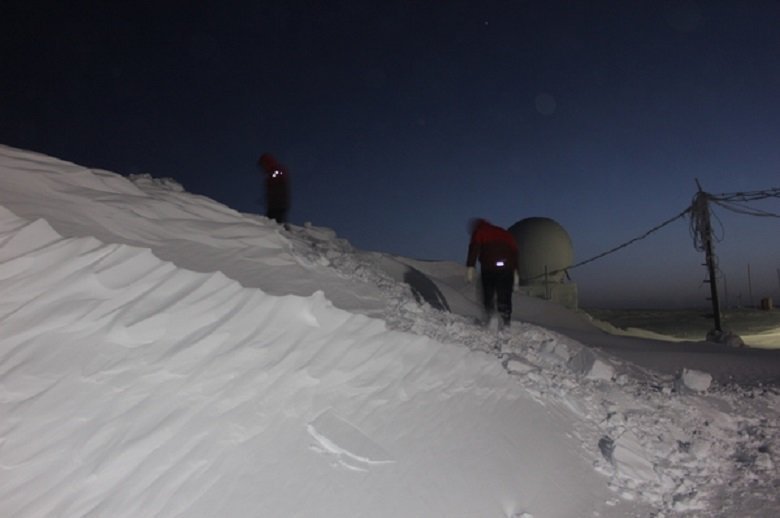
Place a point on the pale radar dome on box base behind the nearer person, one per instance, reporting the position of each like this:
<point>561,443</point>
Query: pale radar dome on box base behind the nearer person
<point>544,247</point>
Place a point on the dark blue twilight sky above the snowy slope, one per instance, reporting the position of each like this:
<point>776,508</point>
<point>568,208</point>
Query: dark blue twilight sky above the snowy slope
<point>401,119</point>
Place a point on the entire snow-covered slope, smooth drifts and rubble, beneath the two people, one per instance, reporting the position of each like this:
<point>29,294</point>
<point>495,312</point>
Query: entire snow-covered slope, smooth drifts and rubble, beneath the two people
<point>162,355</point>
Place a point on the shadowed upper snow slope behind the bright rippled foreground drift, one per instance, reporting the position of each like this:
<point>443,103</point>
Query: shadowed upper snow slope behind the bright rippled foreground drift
<point>193,232</point>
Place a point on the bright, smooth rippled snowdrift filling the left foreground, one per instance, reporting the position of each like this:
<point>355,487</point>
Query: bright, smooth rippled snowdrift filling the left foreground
<point>131,387</point>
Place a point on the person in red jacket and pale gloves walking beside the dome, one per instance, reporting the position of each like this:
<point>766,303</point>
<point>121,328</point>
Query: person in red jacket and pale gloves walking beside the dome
<point>496,250</point>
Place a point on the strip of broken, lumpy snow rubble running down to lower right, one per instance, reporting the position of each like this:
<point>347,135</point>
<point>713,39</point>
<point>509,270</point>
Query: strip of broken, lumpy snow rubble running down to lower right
<point>656,440</point>
